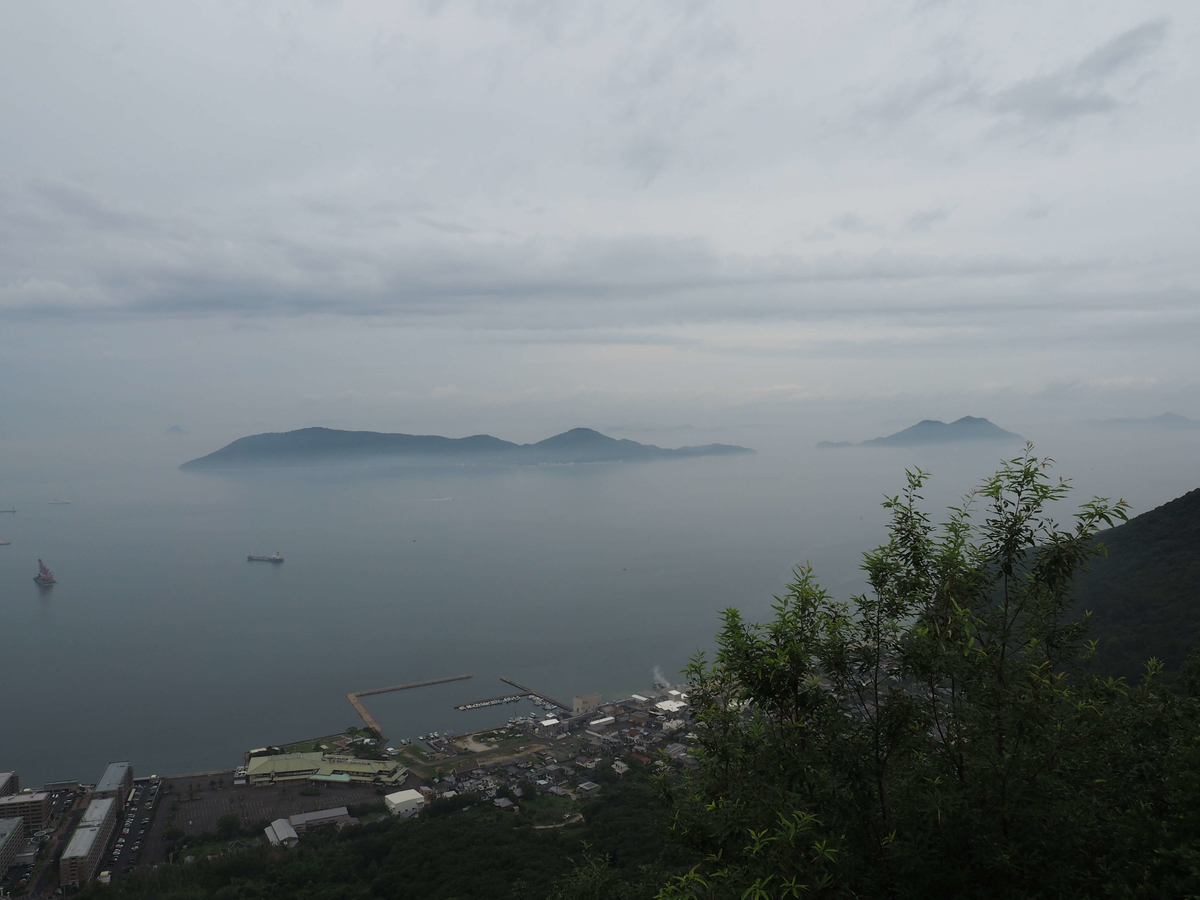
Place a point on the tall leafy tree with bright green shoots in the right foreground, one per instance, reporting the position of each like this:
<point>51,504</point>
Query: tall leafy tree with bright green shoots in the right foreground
<point>938,736</point>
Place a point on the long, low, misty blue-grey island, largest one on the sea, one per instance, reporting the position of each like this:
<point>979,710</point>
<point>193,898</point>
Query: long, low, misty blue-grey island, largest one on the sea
<point>325,447</point>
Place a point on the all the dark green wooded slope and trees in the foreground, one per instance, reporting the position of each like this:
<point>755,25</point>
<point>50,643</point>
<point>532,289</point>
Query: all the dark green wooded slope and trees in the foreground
<point>950,734</point>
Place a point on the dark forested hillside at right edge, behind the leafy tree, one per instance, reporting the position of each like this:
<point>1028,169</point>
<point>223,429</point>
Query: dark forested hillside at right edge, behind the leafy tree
<point>1145,595</point>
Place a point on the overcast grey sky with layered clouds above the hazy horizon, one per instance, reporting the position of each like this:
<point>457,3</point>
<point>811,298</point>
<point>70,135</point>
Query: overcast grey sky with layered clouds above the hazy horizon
<point>689,219</point>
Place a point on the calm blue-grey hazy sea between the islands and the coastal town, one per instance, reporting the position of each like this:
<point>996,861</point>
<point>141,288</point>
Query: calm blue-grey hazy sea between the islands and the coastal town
<point>164,646</point>
